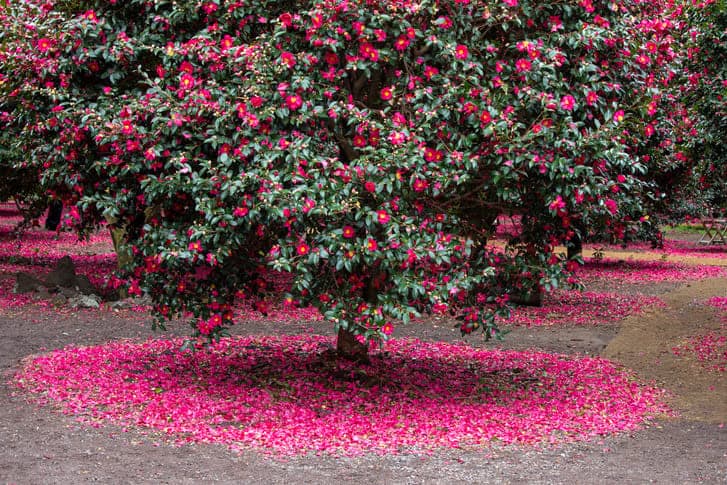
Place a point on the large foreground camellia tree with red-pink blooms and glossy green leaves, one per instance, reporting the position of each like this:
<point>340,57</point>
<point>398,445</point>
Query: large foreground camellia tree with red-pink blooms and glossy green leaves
<point>363,147</point>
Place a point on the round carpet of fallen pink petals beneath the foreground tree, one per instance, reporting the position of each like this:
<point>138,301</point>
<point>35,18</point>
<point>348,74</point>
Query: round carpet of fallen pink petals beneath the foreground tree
<point>281,394</point>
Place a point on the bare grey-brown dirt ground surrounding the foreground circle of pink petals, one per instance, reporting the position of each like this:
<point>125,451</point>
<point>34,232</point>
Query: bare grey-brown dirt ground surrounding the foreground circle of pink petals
<point>38,445</point>
